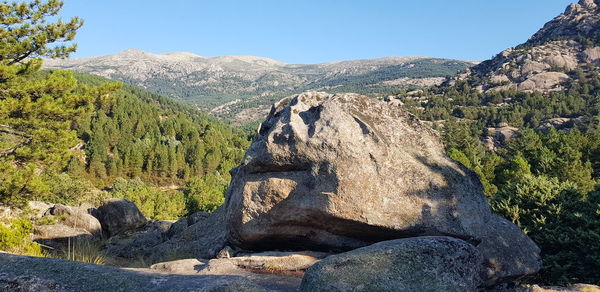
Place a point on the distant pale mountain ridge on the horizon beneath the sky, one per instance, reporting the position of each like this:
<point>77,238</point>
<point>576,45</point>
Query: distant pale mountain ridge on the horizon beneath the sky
<point>241,88</point>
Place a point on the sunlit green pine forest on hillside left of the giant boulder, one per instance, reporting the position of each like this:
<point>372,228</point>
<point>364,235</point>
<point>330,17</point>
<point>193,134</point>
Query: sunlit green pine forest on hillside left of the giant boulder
<point>130,134</point>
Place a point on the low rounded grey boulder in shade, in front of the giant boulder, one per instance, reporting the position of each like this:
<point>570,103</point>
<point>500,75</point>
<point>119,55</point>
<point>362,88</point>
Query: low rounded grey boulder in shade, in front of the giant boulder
<point>413,264</point>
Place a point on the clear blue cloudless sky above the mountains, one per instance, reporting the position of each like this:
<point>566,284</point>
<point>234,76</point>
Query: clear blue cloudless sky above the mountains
<point>310,31</point>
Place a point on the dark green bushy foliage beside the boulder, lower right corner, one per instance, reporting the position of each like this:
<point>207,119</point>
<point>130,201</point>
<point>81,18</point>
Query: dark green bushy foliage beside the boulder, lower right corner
<point>564,223</point>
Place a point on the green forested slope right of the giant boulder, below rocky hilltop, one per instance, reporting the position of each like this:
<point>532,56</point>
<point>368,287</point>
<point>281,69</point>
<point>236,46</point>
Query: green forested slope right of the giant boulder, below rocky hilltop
<point>544,179</point>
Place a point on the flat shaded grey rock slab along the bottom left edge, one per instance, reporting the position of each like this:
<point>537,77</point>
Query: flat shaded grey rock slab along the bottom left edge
<point>20,273</point>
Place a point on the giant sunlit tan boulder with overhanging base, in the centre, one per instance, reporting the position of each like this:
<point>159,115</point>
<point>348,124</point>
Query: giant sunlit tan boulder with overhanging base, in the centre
<point>338,172</point>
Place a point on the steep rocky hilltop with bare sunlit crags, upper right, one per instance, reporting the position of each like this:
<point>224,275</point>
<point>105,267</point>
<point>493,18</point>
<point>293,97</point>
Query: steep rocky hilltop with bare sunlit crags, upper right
<point>546,62</point>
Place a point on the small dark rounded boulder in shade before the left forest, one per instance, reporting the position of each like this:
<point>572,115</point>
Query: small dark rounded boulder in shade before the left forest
<point>119,215</point>
